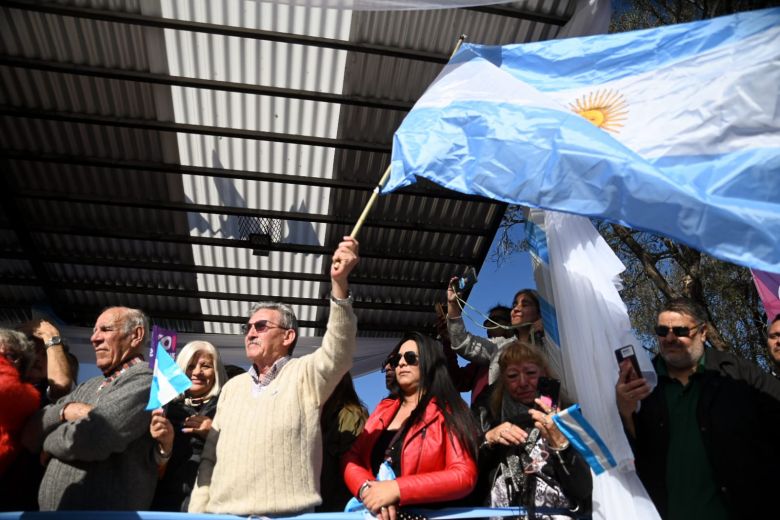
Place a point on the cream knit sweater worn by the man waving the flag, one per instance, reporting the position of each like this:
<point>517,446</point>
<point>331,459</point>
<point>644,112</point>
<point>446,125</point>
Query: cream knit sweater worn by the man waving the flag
<point>263,454</point>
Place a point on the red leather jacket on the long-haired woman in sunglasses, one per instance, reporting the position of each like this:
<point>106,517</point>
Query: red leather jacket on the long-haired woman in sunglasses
<point>434,465</point>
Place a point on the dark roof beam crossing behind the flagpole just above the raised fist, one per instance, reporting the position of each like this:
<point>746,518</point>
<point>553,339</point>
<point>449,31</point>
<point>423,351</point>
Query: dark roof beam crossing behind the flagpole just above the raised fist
<point>188,207</point>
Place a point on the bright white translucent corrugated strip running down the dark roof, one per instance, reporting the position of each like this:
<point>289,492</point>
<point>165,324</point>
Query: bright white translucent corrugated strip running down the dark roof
<point>264,63</point>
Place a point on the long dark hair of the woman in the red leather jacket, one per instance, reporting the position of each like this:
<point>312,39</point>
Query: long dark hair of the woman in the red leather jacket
<point>435,383</point>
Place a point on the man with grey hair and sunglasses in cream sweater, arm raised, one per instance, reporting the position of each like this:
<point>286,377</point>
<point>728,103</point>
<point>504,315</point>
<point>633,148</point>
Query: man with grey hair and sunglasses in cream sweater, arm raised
<point>263,454</point>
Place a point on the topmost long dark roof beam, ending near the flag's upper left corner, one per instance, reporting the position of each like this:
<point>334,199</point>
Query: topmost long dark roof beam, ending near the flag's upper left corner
<point>223,30</point>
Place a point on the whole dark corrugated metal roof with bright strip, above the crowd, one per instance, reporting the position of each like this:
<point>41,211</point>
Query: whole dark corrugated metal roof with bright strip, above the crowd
<point>127,184</point>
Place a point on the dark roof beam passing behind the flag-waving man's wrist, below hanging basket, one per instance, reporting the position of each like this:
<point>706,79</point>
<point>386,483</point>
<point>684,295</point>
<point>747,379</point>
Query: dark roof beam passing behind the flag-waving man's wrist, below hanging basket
<point>355,279</point>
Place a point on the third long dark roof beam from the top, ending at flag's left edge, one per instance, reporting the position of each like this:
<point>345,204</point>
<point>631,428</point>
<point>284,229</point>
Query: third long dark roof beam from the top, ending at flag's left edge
<point>168,126</point>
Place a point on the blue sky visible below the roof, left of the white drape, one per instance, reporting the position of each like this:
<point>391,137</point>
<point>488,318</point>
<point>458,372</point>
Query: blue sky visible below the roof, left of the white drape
<point>497,284</point>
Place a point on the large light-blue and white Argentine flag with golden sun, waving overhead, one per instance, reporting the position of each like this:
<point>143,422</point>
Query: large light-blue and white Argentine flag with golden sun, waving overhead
<point>674,130</point>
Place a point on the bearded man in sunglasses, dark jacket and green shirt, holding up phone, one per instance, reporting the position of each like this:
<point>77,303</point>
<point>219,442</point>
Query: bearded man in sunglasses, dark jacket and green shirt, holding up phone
<point>705,438</point>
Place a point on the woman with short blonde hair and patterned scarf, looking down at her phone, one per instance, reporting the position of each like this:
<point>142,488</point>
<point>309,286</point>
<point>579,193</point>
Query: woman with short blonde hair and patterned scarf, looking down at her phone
<point>524,460</point>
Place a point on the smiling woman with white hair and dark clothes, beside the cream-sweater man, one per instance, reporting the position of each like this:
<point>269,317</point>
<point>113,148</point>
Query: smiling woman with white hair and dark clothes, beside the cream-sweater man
<point>181,429</point>
